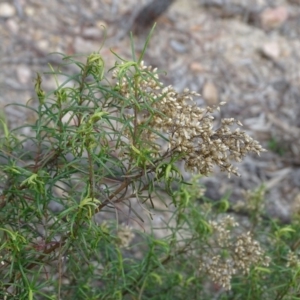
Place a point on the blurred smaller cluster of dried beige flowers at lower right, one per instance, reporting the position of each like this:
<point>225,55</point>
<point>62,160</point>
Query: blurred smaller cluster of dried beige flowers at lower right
<point>242,253</point>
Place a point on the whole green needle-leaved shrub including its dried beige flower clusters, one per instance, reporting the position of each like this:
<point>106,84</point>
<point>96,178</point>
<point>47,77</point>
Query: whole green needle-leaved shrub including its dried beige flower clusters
<point>101,145</point>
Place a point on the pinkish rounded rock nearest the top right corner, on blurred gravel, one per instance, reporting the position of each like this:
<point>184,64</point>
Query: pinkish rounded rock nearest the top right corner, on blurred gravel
<point>272,18</point>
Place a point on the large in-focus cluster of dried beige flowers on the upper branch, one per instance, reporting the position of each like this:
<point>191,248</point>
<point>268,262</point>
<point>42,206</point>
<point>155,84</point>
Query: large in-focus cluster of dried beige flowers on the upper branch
<point>188,128</point>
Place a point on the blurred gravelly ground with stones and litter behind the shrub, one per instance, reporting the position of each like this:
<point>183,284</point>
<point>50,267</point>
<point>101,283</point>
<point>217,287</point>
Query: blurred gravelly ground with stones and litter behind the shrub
<point>229,51</point>
